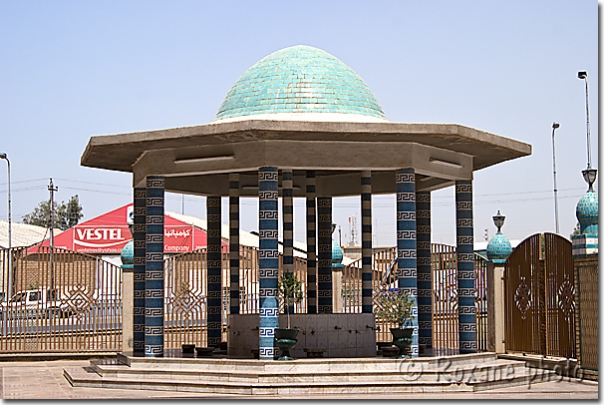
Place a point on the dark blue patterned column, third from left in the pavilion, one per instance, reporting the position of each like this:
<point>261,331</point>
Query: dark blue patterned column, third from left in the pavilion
<point>214,258</point>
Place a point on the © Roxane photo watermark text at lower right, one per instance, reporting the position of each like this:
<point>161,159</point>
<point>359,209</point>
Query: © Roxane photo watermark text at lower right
<point>446,370</point>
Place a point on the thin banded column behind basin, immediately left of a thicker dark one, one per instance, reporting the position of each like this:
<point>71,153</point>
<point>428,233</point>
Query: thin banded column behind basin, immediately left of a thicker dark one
<point>311,242</point>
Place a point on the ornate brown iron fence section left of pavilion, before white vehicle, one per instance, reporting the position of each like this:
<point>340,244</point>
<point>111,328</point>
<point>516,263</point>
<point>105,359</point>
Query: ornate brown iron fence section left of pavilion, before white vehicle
<point>60,301</point>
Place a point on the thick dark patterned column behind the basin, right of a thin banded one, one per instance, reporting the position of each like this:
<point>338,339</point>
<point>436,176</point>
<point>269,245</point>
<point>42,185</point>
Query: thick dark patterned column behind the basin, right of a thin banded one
<point>324,285</point>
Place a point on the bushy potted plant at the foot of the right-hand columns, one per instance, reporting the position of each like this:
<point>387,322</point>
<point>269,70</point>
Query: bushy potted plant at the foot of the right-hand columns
<point>396,306</point>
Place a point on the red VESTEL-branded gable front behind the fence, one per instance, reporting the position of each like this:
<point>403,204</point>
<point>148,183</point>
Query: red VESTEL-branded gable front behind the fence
<point>109,233</point>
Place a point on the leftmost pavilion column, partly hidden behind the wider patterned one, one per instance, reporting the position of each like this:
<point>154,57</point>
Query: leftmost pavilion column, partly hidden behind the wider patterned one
<point>139,230</point>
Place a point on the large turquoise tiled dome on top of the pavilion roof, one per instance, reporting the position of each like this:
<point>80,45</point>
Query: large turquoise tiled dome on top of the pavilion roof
<point>299,79</point>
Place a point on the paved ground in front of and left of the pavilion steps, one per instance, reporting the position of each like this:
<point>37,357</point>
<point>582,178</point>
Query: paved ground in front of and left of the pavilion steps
<point>44,380</point>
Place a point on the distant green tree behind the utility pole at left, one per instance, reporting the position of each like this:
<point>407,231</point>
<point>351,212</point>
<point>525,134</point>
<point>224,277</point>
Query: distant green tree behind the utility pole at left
<point>66,214</point>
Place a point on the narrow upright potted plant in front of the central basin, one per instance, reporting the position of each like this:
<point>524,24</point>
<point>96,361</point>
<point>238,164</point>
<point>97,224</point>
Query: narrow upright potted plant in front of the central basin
<point>289,292</point>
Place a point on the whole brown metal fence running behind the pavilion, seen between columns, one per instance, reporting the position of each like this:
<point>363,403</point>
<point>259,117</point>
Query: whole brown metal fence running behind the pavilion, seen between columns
<point>65,301</point>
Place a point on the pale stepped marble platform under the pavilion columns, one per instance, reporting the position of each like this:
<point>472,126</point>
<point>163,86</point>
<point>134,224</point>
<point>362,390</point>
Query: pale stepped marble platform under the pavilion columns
<point>469,373</point>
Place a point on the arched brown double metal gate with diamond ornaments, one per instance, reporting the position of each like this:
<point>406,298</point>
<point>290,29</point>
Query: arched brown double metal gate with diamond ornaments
<point>540,297</point>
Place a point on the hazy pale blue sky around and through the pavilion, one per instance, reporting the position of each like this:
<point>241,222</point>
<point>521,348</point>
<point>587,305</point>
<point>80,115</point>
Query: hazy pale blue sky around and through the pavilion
<point>74,69</point>
